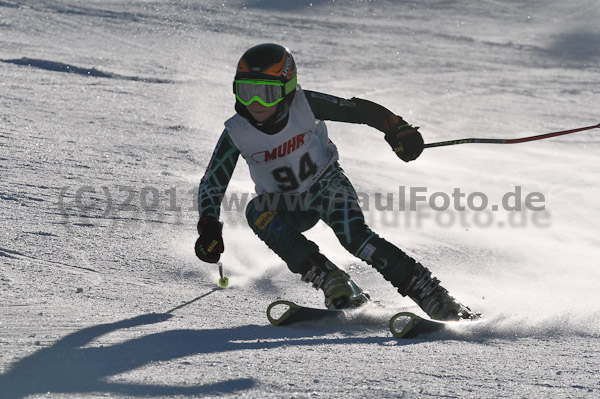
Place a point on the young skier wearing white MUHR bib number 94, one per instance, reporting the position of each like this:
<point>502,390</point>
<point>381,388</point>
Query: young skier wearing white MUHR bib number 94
<point>279,130</point>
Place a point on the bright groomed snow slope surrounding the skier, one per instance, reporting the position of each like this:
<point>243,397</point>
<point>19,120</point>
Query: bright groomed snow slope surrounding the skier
<point>101,293</point>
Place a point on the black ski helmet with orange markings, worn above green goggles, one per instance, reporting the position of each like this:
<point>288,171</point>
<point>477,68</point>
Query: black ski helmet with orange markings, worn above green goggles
<point>271,62</point>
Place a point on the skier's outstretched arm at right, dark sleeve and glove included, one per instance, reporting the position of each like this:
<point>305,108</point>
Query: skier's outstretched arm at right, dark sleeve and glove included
<point>405,140</point>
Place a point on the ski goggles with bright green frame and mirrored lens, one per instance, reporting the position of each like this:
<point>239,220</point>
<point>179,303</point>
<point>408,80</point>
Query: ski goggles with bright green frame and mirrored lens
<point>265,92</point>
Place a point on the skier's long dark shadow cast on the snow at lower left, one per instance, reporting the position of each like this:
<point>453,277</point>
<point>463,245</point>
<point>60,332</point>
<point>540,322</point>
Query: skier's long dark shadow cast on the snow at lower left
<point>68,367</point>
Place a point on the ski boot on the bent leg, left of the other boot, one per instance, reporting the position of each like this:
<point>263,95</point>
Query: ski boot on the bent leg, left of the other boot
<point>340,291</point>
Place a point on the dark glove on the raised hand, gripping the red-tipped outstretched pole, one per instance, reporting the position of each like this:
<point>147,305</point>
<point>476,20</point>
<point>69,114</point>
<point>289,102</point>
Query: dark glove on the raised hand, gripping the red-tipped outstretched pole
<point>405,140</point>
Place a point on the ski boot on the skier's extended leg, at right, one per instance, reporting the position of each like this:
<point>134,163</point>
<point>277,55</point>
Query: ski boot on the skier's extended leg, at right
<point>434,299</point>
